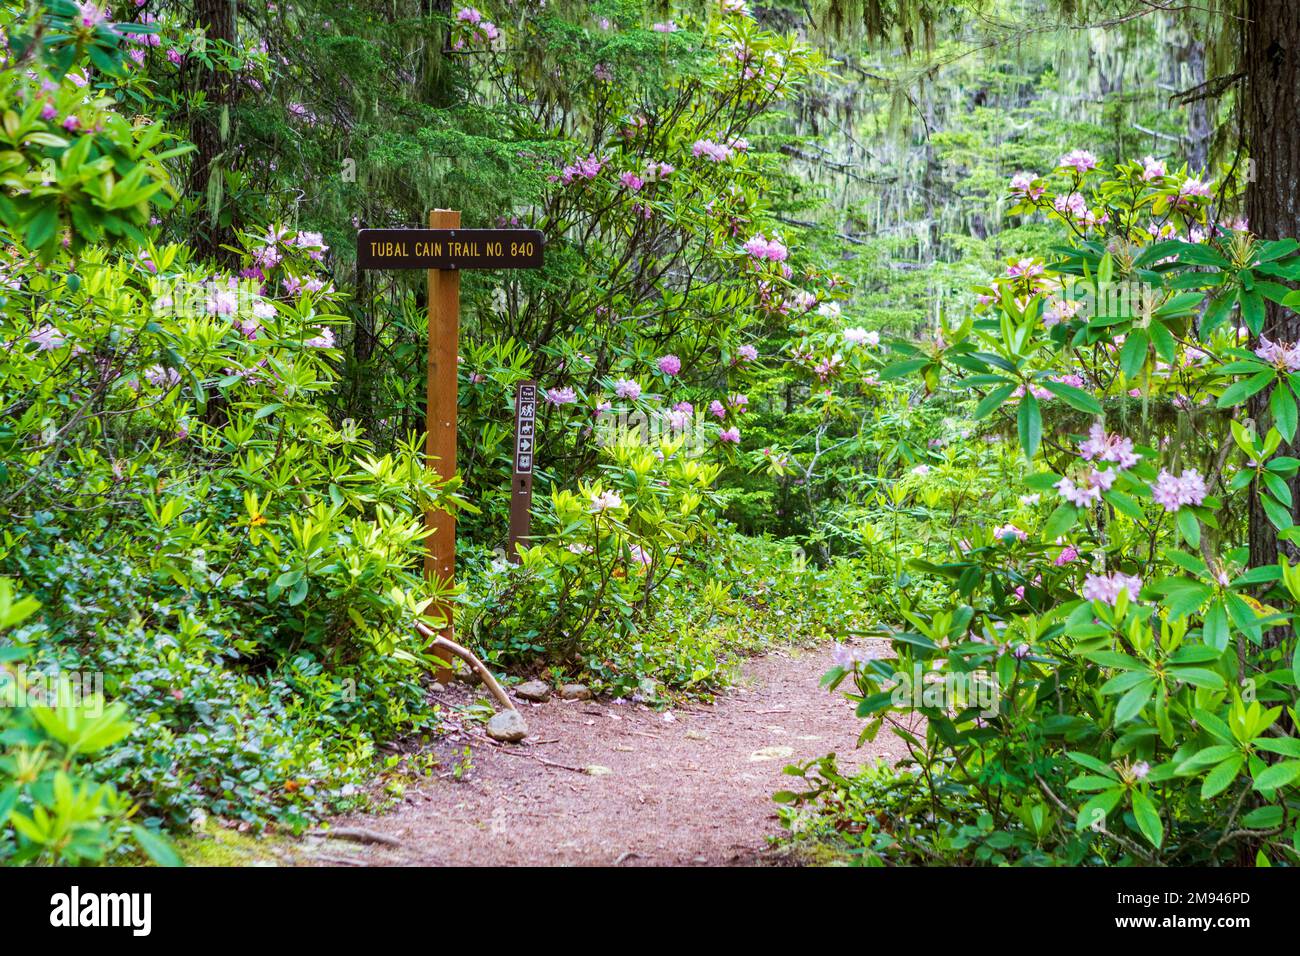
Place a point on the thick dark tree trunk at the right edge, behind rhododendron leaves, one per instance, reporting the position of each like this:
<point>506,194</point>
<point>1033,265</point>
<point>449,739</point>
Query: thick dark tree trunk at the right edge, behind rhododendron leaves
<point>1272,111</point>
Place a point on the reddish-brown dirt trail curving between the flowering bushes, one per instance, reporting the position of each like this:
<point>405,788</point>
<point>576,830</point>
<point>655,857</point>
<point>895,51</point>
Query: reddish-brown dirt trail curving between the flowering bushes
<point>684,788</point>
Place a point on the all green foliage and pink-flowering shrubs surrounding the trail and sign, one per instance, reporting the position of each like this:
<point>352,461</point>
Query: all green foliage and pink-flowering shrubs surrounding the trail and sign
<point>969,345</point>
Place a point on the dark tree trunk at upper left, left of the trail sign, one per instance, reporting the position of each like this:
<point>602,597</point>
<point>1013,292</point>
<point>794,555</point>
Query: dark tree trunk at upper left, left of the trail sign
<point>218,19</point>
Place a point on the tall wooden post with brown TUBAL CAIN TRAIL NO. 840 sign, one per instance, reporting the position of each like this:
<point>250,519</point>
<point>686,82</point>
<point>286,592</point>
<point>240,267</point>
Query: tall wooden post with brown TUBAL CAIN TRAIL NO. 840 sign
<point>445,249</point>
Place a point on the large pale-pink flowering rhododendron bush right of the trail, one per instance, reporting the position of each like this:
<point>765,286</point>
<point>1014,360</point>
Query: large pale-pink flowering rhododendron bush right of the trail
<point>1146,671</point>
